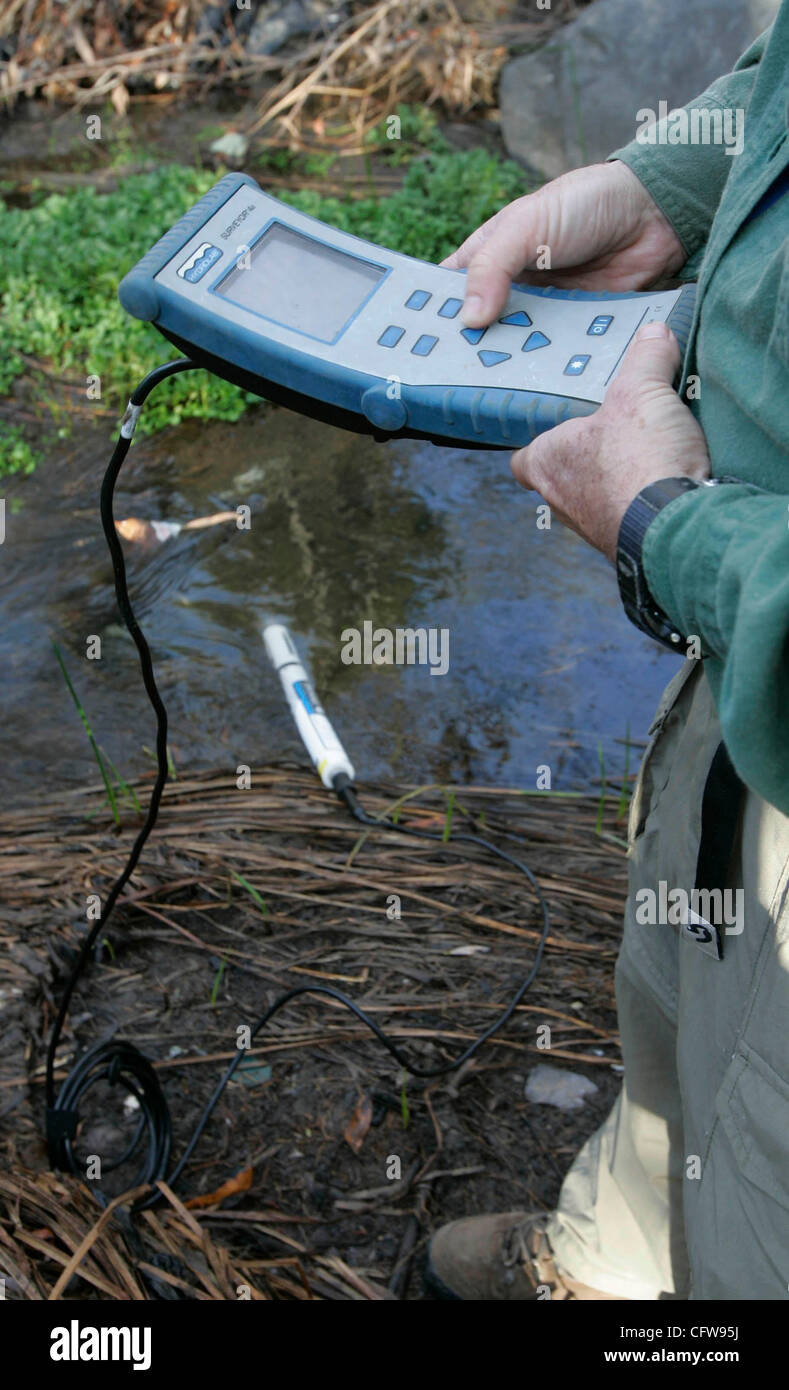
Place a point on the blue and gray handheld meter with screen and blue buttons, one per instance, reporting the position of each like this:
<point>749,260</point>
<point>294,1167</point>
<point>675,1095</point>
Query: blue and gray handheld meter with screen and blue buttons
<point>358,336</point>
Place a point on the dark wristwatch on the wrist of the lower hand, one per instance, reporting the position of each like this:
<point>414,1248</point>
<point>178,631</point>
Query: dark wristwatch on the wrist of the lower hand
<point>634,589</point>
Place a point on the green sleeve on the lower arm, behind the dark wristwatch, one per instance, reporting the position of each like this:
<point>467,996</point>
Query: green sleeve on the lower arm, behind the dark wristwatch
<point>717,561</point>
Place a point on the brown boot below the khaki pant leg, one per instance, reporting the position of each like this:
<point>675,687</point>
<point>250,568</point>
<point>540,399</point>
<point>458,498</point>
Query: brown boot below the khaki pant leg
<point>499,1259</point>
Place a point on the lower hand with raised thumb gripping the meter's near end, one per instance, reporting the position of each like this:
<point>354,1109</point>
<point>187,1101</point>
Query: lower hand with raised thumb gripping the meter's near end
<point>590,471</point>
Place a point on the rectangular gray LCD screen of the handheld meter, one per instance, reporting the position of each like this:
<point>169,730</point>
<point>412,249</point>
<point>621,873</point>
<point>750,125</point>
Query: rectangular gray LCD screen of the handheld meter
<point>301,284</point>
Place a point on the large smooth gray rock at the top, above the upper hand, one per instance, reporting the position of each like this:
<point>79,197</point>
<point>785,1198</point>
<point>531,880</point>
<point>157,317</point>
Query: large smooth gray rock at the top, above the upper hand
<point>576,99</point>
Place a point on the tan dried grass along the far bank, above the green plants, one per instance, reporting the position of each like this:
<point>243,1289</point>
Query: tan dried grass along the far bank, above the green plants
<point>381,55</point>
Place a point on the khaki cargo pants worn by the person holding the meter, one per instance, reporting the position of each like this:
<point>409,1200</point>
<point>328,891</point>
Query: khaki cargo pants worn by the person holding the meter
<point>684,1192</point>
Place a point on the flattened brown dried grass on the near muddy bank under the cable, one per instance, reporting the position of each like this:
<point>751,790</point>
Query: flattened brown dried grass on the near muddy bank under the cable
<point>326,890</point>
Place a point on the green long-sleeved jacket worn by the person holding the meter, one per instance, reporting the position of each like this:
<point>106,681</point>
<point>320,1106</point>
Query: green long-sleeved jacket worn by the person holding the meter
<point>717,559</point>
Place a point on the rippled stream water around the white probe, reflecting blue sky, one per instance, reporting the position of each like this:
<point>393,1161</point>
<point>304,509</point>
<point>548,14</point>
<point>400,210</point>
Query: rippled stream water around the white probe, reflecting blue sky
<point>544,665</point>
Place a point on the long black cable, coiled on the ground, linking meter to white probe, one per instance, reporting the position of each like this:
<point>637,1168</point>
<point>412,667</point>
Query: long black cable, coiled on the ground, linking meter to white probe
<point>120,1063</point>
